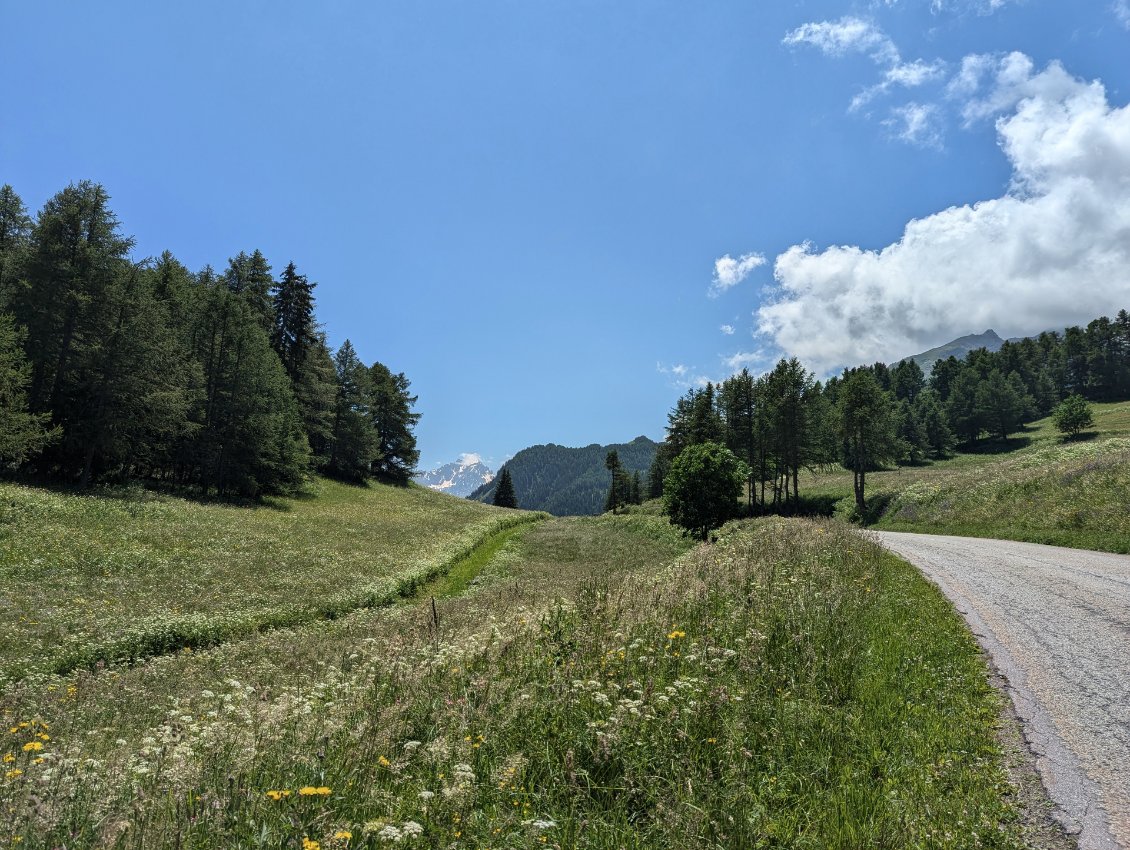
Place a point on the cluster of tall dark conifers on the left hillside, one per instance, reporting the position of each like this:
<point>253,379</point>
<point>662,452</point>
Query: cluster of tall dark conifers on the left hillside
<point>115,369</point>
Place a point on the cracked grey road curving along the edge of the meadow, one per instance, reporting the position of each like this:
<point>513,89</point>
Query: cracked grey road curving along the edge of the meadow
<point>1057,625</point>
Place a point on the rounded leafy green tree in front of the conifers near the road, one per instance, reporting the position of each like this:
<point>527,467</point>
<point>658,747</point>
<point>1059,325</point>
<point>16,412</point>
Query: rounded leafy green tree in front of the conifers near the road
<point>702,488</point>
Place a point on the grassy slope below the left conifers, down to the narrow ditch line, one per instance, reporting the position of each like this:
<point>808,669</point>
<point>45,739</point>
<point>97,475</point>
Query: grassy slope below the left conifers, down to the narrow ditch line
<point>105,577</point>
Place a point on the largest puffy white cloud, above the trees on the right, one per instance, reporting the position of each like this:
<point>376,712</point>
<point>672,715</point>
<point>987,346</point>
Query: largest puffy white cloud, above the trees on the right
<point>1055,250</point>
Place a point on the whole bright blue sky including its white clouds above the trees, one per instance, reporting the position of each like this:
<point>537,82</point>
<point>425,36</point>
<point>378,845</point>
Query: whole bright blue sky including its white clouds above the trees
<point>557,216</point>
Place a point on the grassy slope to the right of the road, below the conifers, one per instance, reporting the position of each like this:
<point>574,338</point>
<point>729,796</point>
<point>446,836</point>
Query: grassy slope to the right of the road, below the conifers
<point>1038,489</point>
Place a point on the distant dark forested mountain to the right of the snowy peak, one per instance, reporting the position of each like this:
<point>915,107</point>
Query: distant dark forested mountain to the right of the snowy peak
<point>570,482</point>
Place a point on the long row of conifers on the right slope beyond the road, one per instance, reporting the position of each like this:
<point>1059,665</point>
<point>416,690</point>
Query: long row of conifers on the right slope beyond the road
<point>786,421</point>
